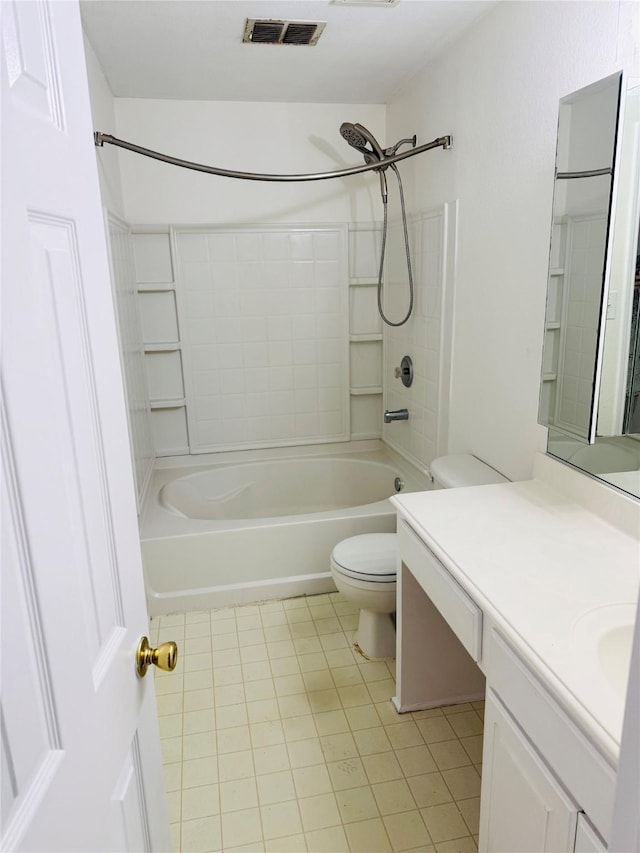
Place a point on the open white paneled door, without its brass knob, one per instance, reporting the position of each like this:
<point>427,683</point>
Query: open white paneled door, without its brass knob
<point>81,765</point>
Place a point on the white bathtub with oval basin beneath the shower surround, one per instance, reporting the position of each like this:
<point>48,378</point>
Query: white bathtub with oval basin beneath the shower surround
<point>233,532</point>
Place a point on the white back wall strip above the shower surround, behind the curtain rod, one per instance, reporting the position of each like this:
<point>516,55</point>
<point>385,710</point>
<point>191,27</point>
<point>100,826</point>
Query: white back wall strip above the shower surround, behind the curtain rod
<point>249,137</point>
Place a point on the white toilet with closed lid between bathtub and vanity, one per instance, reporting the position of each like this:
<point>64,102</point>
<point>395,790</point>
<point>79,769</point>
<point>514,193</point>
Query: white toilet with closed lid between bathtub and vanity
<point>364,567</point>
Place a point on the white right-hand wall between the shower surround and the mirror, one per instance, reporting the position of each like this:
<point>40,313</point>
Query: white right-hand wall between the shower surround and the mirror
<point>496,91</point>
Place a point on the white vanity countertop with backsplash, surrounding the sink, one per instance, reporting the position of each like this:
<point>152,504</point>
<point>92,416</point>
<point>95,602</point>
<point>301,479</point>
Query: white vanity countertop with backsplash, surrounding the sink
<point>553,561</point>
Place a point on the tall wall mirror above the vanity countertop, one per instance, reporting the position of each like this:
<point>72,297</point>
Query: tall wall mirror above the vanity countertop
<point>590,384</point>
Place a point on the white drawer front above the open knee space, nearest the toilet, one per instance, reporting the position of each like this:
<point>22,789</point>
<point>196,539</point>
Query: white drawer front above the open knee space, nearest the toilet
<point>459,610</point>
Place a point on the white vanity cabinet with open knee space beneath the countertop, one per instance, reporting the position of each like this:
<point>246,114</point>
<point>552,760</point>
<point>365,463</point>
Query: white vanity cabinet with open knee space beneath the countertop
<point>545,786</point>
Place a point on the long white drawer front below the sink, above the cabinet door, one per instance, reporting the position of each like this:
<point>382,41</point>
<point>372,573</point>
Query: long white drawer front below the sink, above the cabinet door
<point>575,761</point>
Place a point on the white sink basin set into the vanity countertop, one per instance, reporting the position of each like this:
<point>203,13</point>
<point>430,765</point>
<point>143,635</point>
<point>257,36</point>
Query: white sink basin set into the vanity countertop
<point>603,639</point>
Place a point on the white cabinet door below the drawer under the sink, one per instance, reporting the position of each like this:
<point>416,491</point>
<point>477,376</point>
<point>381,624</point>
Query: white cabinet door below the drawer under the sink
<point>523,806</point>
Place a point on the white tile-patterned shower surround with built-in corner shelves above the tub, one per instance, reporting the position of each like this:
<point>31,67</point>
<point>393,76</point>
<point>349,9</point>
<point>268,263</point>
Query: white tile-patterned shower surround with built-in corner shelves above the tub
<point>264,336</point>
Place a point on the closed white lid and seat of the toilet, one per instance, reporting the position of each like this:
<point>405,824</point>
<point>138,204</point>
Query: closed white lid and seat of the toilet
<point>370,557</point>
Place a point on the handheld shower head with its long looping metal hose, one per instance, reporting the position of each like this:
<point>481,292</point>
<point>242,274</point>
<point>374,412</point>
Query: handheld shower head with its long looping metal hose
<point>365,142</point>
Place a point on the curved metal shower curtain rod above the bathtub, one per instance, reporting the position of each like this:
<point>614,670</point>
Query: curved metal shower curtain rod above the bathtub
<point>101,138</point>
